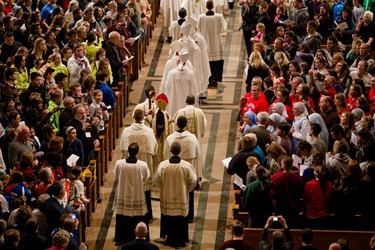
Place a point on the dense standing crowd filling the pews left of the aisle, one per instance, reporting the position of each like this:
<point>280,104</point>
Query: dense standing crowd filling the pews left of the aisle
<point>58,63</point>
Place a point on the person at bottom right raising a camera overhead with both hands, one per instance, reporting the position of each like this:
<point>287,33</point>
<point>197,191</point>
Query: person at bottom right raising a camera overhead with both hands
<point>280,240</point>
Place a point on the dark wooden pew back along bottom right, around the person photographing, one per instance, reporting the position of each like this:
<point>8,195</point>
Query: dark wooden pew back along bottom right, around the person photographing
<point>322,238</point>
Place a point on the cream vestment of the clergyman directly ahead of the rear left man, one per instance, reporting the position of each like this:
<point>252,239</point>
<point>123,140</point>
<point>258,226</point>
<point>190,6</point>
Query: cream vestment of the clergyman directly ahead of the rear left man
<point>148,146</point>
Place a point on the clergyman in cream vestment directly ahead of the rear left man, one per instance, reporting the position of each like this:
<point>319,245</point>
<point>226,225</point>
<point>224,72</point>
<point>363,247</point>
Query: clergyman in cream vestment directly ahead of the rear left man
<point>139,132</point>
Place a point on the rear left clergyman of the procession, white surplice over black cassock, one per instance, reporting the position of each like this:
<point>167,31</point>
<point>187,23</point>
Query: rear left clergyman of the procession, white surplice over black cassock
<point>129,205</point>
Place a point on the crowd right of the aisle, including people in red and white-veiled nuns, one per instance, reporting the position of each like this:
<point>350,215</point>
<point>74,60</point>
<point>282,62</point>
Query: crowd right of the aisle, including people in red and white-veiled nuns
<point>307,118</point>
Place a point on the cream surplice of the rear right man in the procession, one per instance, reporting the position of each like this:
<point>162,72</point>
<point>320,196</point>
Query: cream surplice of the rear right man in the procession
<point>175,180</point>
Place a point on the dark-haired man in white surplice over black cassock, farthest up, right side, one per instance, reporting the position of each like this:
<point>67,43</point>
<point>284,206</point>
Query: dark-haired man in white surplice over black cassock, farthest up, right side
<point>211,25</point>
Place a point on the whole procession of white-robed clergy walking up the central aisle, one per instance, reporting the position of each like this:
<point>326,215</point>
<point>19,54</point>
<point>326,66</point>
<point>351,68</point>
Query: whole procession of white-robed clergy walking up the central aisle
<point>161,148</point>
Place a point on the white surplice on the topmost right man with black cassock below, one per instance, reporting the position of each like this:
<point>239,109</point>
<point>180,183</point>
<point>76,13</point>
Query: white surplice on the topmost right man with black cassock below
<point>211,27</point>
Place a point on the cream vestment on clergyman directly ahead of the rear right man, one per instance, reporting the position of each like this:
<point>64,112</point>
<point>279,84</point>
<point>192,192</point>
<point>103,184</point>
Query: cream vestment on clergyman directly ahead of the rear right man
<point>190,149</point>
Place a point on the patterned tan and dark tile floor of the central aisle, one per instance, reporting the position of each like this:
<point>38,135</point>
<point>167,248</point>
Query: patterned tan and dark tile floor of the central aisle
<point>213,202</point>
